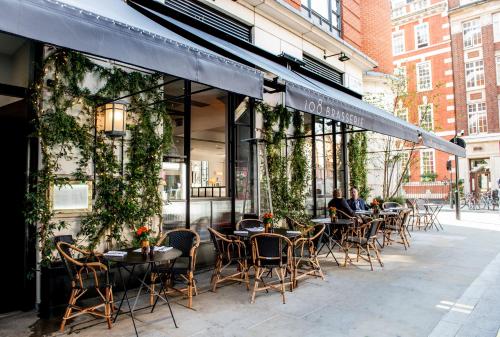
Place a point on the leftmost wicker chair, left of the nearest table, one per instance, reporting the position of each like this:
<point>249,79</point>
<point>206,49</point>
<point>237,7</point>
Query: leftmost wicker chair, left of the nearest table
<point>85,274</point>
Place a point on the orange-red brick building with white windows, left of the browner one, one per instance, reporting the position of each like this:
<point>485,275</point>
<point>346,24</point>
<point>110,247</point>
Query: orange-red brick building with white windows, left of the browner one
<point>421,48</point>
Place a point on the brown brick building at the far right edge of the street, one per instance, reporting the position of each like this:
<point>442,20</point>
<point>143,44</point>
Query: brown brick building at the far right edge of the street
<point>475,40</point>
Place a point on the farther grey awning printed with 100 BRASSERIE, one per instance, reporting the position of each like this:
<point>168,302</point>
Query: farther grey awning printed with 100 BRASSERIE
<point>306,94</point>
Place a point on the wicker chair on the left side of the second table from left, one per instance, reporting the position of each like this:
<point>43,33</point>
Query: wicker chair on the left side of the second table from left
<point>230,252</point>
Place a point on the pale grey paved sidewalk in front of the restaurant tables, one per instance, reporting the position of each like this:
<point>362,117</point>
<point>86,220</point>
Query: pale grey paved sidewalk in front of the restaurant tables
<point>445,284</point>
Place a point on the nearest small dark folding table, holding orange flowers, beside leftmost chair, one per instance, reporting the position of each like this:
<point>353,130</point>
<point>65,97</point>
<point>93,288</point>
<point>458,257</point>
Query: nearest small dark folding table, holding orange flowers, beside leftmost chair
<point>128,263</point>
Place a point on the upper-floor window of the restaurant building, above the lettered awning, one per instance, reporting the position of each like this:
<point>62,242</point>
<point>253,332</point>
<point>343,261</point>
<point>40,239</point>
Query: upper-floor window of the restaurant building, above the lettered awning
<point>325,13</point>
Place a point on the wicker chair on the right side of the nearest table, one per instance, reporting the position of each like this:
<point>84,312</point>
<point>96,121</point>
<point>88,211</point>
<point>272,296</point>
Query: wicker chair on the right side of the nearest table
<point>187,241</point>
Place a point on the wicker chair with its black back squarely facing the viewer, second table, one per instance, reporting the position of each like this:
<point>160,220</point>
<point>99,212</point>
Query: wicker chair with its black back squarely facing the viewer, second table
<point>271,252</point>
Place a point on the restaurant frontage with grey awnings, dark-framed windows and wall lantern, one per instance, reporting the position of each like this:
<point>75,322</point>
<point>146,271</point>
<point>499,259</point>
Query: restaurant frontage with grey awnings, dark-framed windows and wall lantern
<point>210,76</point>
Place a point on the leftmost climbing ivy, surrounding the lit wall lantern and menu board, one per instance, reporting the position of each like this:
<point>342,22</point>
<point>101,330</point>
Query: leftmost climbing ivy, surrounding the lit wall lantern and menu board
<point>66,104</point>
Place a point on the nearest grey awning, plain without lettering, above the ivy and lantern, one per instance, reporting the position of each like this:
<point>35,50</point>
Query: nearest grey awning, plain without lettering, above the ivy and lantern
<point>112,29</point>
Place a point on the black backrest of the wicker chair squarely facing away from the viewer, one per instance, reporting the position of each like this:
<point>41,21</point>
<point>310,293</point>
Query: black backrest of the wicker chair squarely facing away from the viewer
<point>270,248</point>
